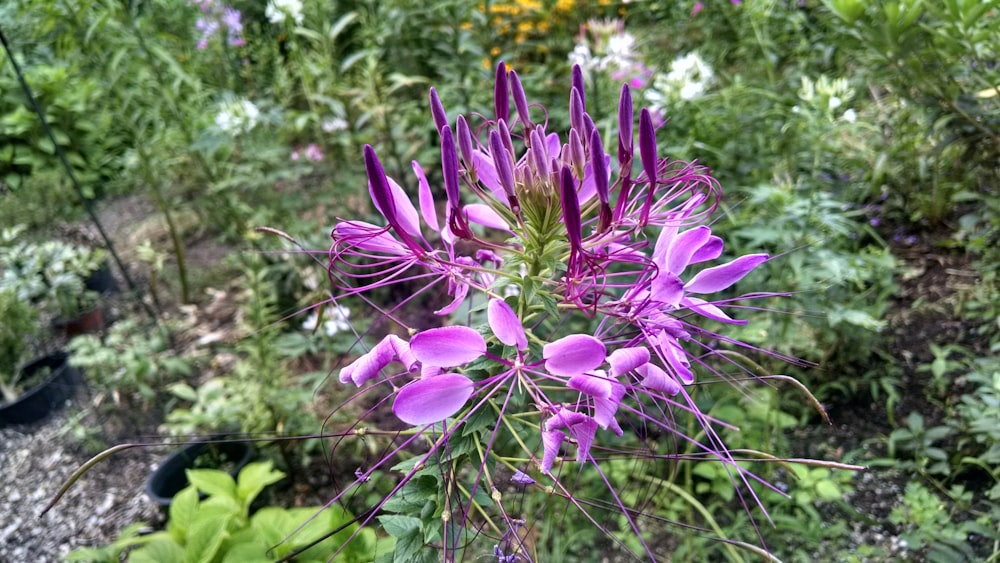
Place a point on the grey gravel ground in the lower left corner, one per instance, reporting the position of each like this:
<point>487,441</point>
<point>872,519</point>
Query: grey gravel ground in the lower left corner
<point>35,460</point>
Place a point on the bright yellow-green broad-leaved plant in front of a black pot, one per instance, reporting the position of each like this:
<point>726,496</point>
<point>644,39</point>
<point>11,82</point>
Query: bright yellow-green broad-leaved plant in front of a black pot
<point>223,528</point>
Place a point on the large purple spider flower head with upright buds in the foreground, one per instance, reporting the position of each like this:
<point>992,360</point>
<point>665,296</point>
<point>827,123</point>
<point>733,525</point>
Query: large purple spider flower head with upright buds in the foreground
<point>613,265</point>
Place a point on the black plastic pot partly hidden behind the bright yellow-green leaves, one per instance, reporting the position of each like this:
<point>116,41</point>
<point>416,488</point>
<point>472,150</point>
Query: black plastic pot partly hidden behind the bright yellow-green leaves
<point>169,478</point>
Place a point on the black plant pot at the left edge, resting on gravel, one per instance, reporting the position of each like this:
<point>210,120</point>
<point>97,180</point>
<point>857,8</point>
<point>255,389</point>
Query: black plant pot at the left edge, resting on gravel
<point>46,397</point>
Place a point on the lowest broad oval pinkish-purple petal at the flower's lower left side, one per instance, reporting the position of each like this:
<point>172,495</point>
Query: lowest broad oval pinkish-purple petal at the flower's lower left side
<point>426,401</point>
